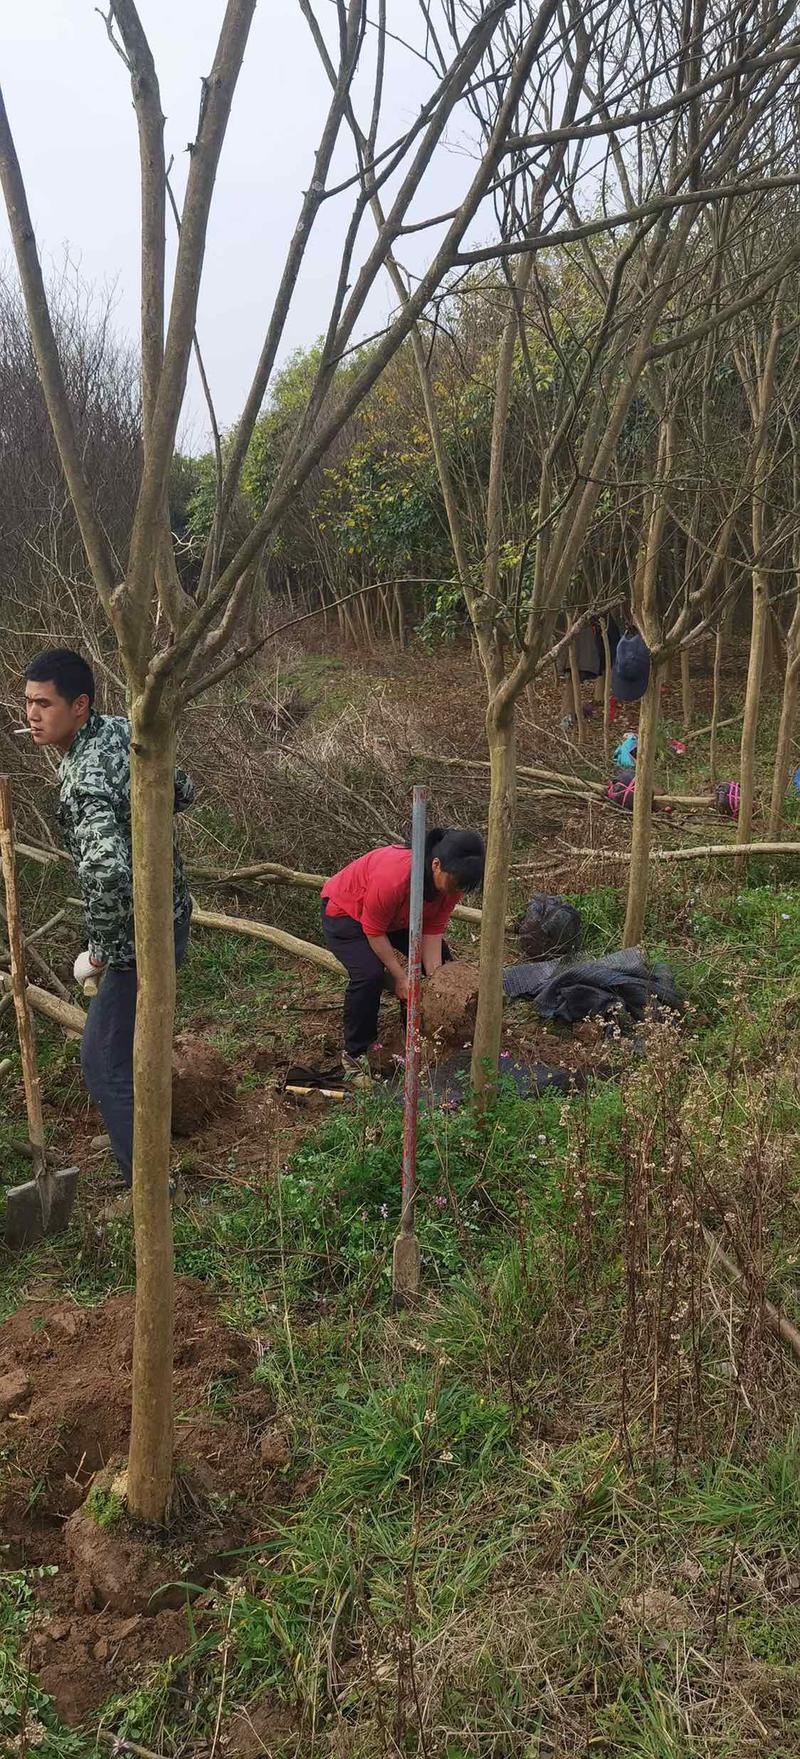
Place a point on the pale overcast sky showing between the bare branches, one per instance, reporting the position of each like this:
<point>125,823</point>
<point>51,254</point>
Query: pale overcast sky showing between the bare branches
<point>69,106</point>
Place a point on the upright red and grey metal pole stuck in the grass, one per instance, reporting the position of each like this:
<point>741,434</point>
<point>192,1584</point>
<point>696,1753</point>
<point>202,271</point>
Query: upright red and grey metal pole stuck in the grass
<point>407,1252</point>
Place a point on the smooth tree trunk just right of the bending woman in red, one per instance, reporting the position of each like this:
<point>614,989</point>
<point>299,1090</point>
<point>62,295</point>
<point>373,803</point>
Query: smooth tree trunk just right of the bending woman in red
<point>502,741</point>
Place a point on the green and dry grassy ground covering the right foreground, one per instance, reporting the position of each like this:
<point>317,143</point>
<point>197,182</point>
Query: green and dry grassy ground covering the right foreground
<point>556,1510</point>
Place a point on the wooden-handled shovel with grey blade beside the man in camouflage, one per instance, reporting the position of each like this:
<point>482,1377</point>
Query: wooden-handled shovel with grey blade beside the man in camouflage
<point>45,1204</point>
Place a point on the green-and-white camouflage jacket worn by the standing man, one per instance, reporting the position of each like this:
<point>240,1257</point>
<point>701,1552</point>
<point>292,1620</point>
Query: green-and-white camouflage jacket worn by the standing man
<point>94,815</point>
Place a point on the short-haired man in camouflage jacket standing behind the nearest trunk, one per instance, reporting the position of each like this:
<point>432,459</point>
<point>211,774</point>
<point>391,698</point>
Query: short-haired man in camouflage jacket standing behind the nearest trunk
<point>94,815</point>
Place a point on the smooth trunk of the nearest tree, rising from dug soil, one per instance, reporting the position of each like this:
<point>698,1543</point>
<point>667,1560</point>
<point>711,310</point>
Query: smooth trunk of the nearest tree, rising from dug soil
<point>152,808</point>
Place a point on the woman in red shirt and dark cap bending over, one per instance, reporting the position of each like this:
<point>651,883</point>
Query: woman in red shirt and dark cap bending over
<point>365,921</point>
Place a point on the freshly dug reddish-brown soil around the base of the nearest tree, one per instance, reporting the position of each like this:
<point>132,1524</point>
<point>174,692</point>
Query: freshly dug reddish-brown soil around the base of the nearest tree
<point>101,1624</point>
